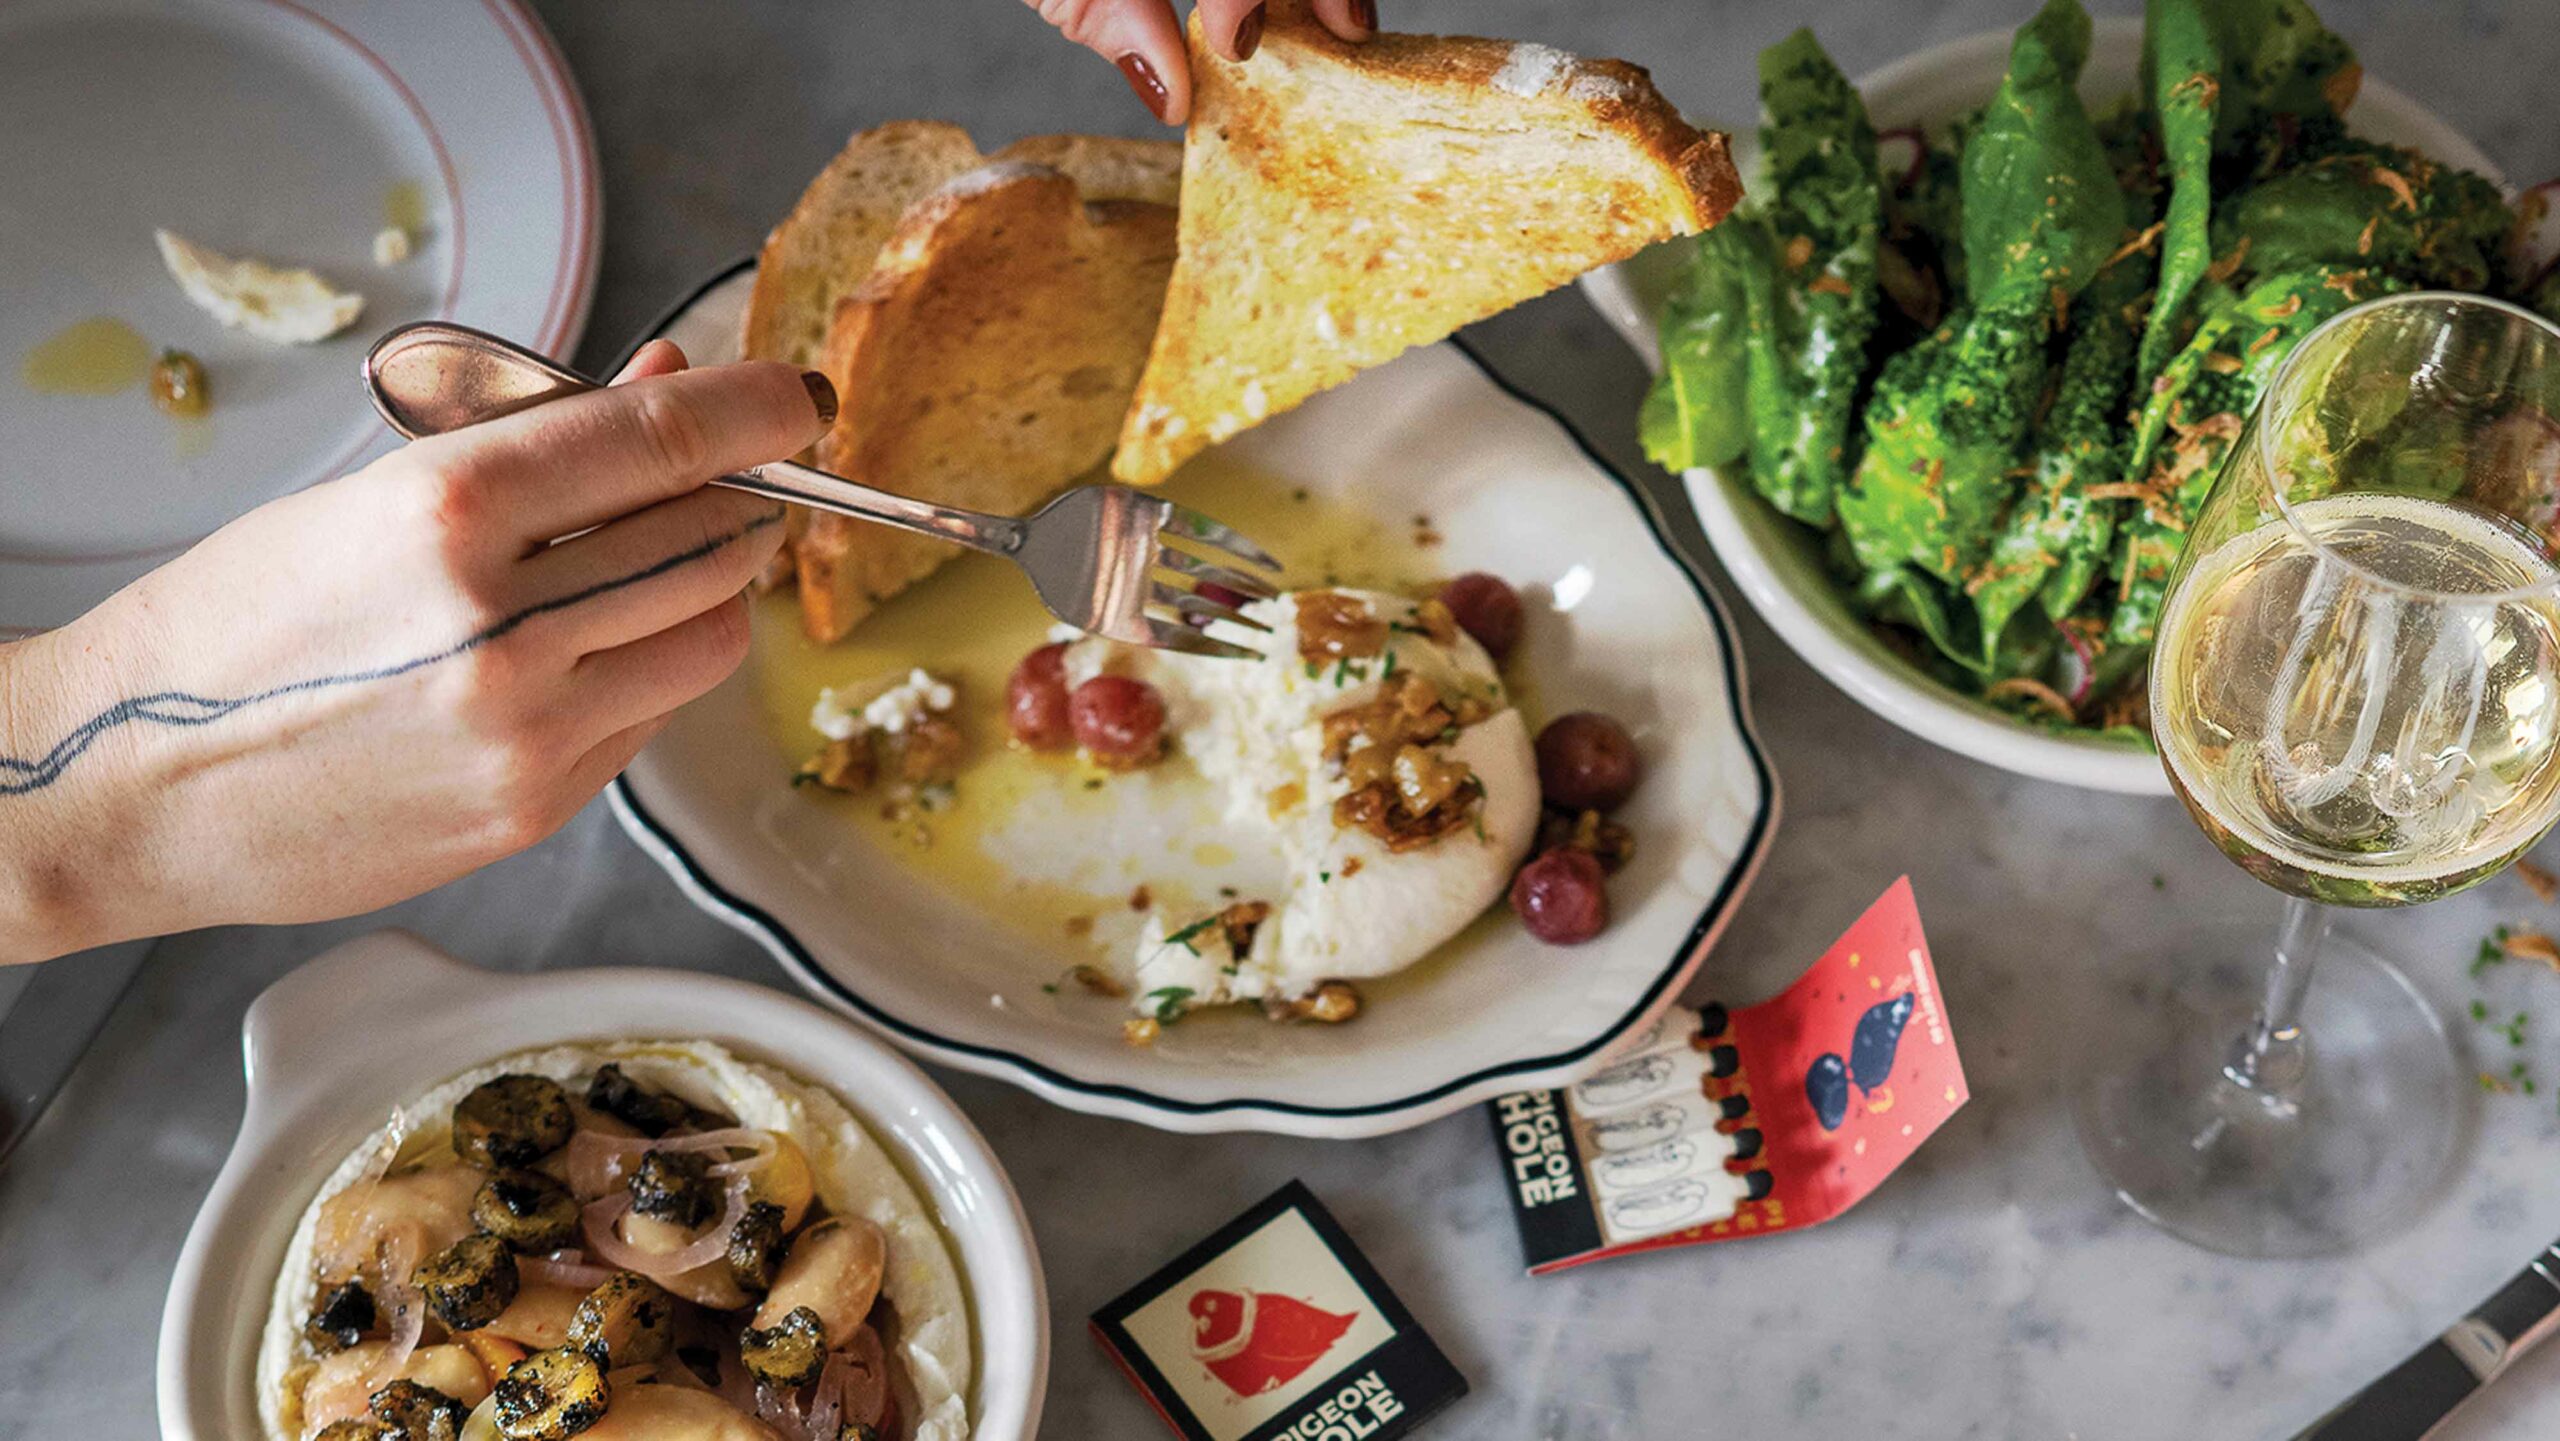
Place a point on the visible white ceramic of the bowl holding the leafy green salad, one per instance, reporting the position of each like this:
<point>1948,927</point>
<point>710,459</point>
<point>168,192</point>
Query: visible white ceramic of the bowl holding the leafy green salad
<point>1778,562</point>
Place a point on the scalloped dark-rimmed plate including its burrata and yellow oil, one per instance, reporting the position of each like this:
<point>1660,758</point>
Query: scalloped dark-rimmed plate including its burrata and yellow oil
<point>1204,943</point>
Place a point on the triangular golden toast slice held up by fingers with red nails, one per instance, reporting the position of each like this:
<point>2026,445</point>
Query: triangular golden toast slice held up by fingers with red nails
<point>1350,201</point>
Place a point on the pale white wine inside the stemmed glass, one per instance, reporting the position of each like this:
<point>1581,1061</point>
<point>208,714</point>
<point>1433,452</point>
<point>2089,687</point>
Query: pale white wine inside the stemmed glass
<point>2364,705</point>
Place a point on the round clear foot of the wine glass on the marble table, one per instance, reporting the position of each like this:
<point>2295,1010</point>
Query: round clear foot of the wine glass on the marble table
<point>2364,1145</point>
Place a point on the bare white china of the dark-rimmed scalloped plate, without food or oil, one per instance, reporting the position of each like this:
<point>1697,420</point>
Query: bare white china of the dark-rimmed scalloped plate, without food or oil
<point>1617,623</point>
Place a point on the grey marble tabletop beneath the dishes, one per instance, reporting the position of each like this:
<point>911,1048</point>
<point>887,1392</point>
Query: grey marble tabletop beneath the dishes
<point>1993,1289</point>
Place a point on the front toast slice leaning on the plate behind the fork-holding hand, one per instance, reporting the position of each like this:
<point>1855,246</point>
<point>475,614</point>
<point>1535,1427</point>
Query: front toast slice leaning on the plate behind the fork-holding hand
<point>984,365</point>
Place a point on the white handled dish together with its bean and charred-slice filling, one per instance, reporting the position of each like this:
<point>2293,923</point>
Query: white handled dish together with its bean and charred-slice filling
<point>575,1199</point>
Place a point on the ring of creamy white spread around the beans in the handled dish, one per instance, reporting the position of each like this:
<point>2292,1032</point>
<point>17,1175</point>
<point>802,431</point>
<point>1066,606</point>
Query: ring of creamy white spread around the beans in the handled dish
<point>851,1171</point>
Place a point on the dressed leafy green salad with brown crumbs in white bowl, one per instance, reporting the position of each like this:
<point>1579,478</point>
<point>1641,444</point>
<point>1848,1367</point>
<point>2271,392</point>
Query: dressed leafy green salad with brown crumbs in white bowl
<point>2001,365</point>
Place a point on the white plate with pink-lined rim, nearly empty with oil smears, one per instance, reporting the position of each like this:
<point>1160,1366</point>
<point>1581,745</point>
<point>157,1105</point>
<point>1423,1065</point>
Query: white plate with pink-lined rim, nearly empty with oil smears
<point>291,132</point>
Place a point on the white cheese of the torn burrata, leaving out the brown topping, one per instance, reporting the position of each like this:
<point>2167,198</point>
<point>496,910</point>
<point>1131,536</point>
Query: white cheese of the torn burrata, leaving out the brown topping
<point>1353,907</point>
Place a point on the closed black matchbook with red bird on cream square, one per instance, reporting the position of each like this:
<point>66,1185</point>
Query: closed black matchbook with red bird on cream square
<point>1279,1330</point>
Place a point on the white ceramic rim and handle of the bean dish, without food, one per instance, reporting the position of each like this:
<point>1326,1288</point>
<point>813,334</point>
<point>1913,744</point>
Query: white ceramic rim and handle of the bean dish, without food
<point>352,1035</point>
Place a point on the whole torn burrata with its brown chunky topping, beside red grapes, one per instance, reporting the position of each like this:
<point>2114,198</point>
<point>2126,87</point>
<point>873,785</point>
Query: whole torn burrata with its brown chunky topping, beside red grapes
<point>1376,749</point>
